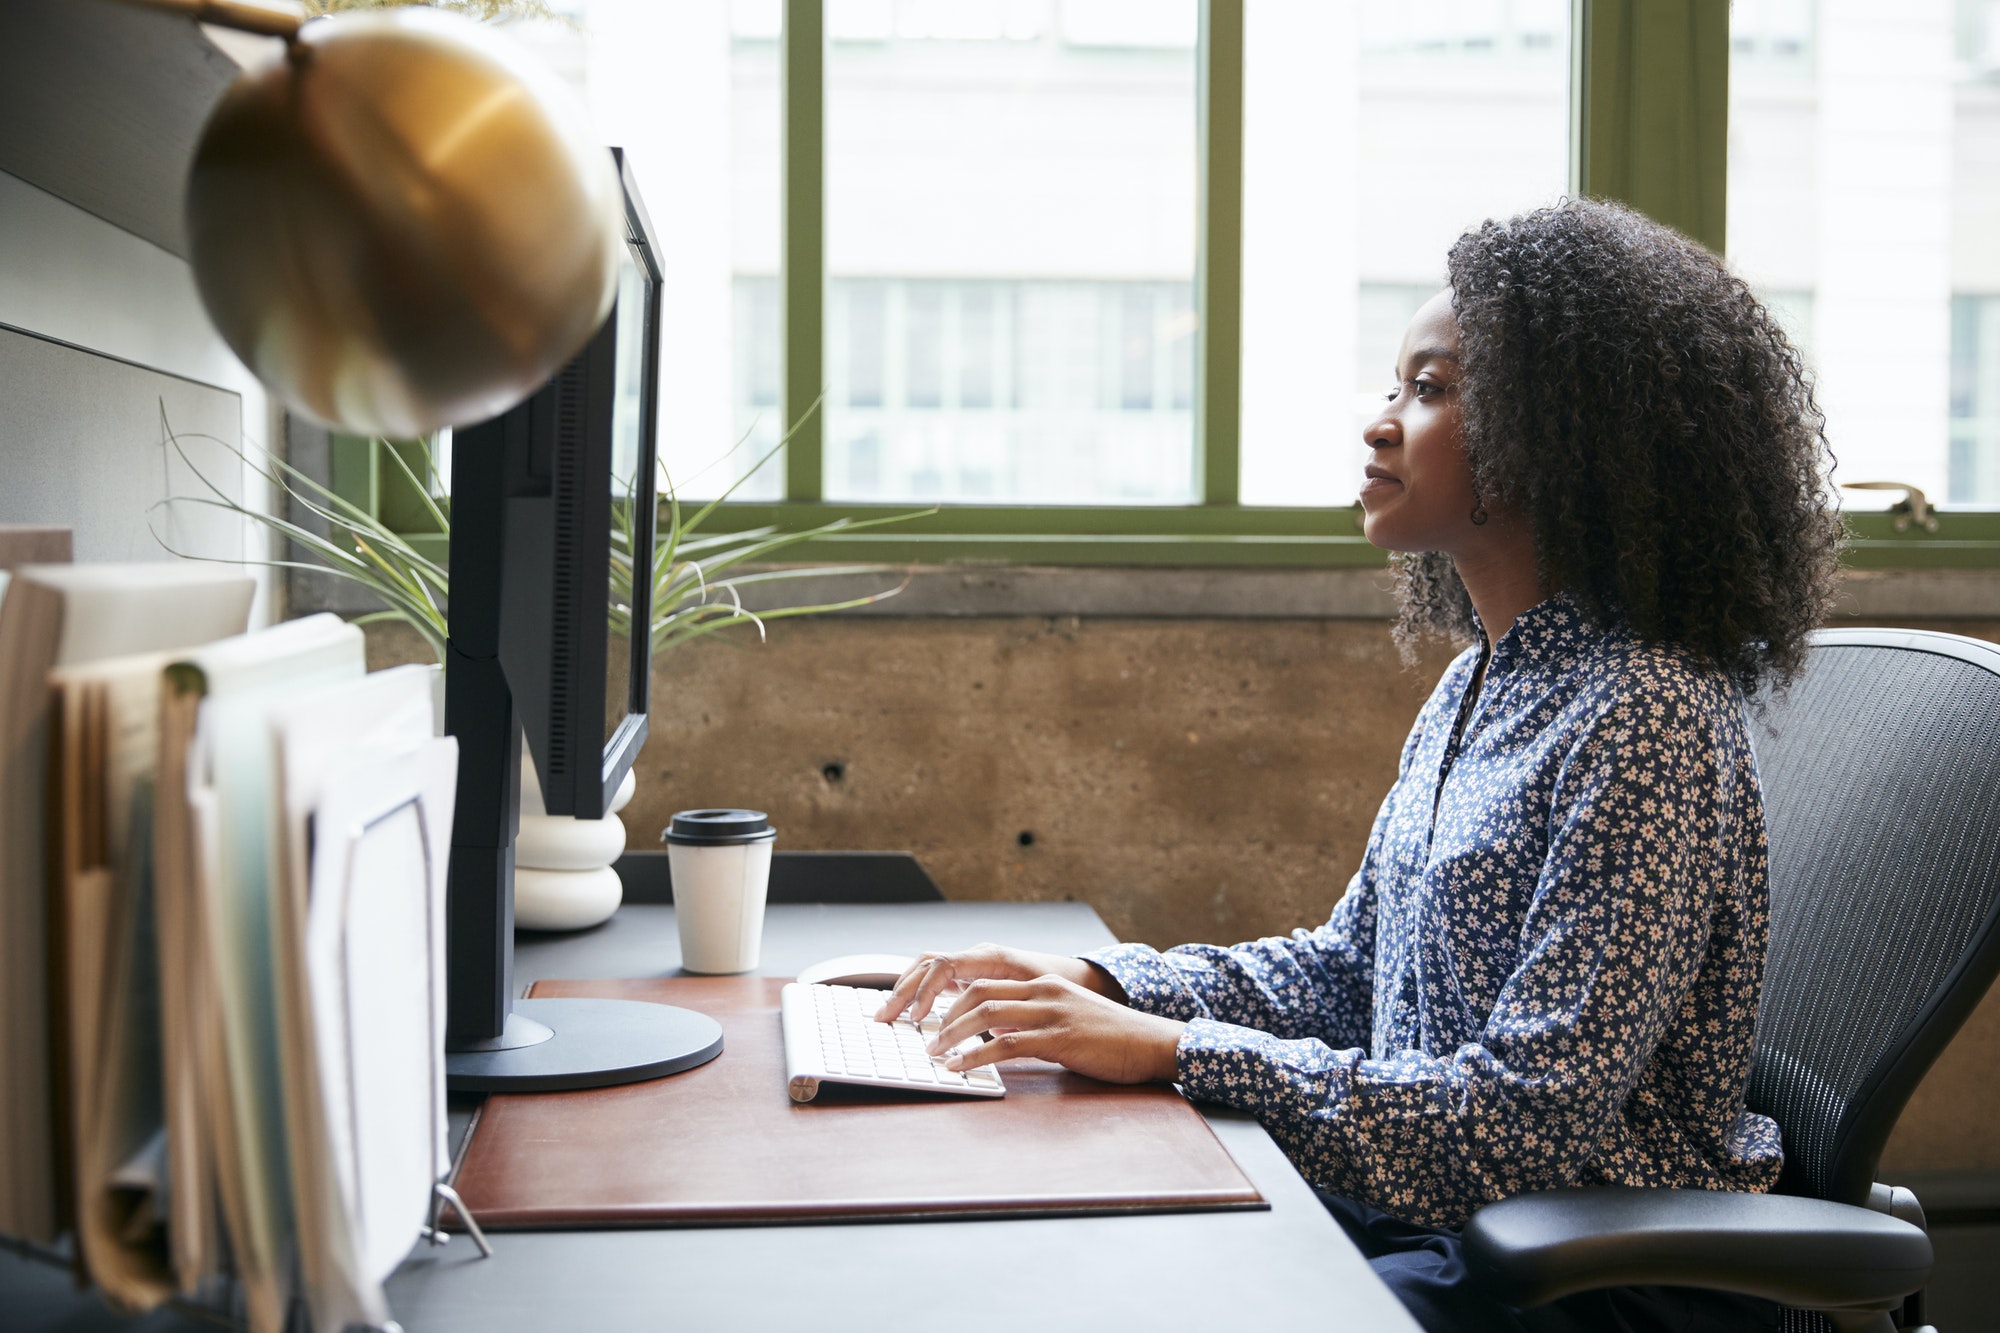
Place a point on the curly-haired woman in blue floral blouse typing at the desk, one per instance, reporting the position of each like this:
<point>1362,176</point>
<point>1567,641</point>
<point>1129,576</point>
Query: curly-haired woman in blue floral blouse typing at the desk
<point>1601,465</point>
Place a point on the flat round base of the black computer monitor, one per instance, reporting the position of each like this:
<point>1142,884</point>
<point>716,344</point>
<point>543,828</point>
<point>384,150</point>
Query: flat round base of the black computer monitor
<point>593,1044</point>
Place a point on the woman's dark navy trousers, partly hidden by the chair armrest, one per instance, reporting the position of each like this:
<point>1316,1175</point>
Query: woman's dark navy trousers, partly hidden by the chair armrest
<point>1427,1270</point>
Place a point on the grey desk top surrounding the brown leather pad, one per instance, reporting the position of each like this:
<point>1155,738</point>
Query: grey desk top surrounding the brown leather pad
<point>1289,1268</point>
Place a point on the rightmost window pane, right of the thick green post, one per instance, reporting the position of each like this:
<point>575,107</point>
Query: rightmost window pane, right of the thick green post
<point>1863,171</point>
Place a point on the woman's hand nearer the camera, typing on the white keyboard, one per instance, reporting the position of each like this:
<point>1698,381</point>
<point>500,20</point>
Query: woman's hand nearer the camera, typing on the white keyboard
<point>1061,1022</point>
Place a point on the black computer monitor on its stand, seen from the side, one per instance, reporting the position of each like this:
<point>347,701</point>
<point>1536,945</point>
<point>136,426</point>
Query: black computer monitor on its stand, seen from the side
<point>533,653</point>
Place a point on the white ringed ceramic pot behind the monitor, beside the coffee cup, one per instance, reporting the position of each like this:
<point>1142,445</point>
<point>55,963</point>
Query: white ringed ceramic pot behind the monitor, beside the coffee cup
<point>563,868</point>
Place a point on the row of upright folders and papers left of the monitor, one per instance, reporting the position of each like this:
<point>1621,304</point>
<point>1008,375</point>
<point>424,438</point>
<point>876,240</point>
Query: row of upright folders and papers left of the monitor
<point>243,1064</point>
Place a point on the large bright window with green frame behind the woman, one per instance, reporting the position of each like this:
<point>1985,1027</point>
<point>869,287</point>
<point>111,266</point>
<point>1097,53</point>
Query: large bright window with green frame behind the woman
<point>1031,283</point>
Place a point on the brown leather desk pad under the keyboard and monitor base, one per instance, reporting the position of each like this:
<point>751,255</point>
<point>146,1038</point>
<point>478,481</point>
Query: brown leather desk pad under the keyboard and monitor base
<point>725,1144</point>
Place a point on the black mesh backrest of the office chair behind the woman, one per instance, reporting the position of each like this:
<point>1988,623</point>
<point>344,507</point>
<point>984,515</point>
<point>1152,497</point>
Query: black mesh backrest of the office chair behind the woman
<point>1883,800</point>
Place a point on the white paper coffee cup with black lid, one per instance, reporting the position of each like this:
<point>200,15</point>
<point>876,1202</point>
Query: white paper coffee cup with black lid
<point>721,866</point>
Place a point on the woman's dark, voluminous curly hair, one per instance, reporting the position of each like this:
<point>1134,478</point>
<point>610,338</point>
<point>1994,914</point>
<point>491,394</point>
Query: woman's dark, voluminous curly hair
<point>1655,425</point>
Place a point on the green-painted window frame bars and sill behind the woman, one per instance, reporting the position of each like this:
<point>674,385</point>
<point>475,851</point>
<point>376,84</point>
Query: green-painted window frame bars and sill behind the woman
<point>1649,125</point>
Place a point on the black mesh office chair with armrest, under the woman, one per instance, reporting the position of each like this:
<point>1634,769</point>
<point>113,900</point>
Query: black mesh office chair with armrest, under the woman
<point>1883,800</point>
